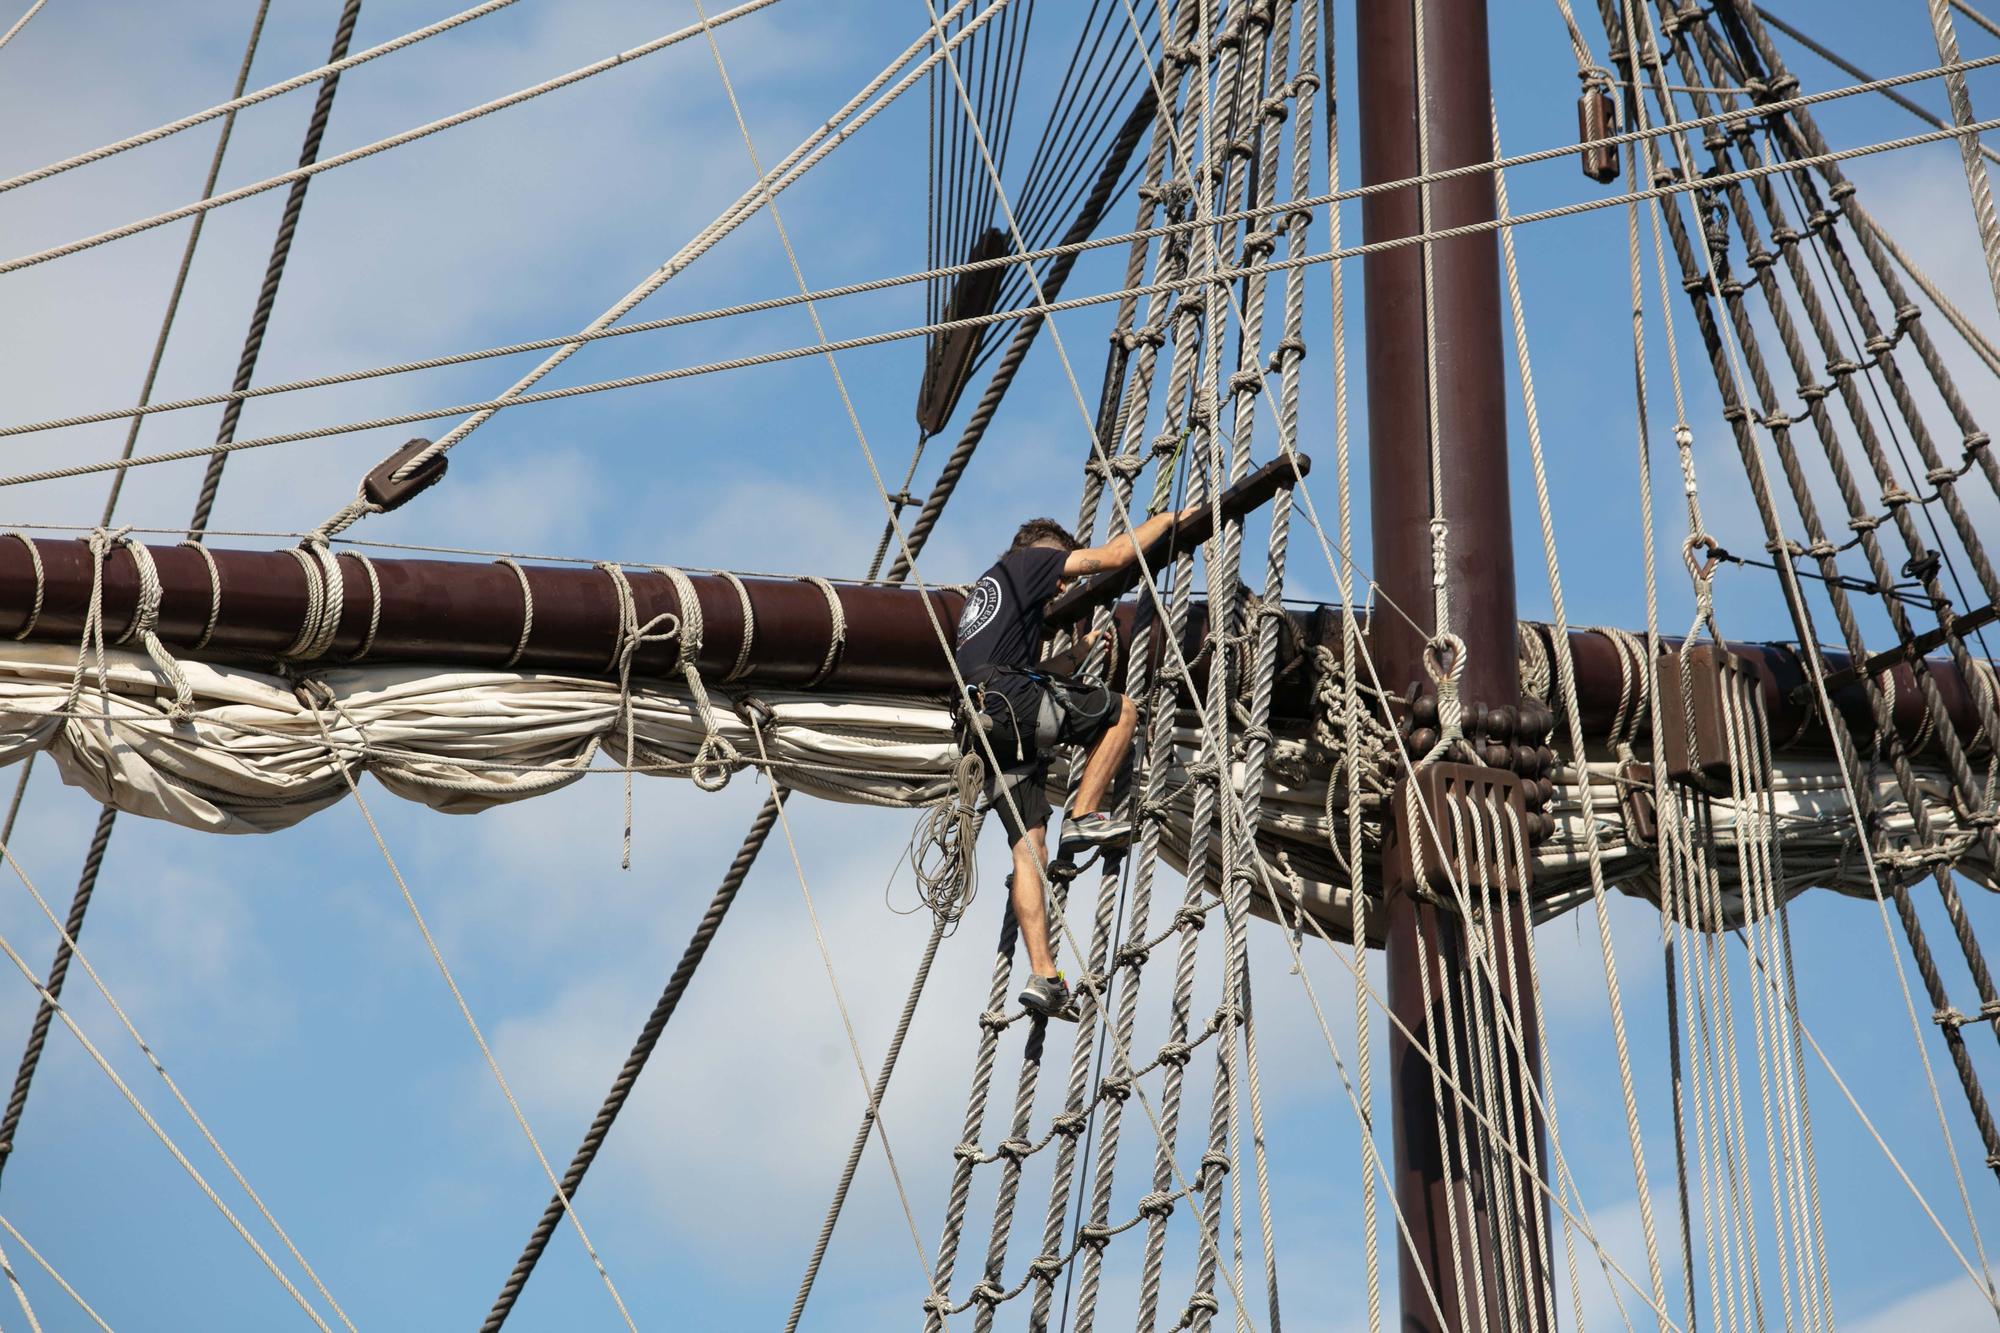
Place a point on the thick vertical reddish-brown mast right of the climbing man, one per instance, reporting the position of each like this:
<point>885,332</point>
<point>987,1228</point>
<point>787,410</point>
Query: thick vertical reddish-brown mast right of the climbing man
<point>1473,499</point>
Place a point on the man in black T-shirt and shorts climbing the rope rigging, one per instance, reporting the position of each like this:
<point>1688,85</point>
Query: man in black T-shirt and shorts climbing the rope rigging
<point>1027,710</point>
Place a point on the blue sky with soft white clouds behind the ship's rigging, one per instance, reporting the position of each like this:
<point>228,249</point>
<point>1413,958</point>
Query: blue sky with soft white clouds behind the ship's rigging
<point>281,978</point>
